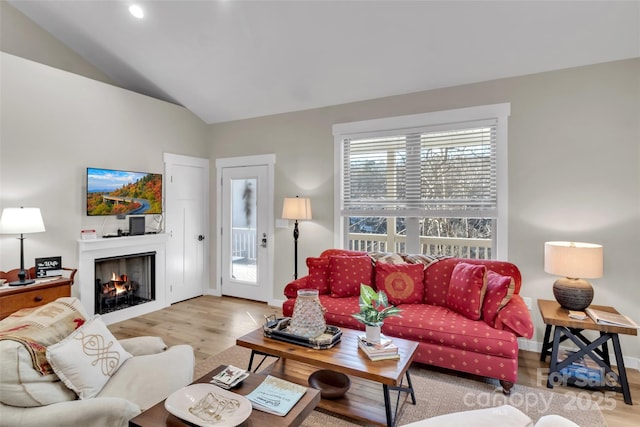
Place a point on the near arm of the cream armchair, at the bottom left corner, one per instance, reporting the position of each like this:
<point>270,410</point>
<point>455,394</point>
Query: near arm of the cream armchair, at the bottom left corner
<point>97,412</point>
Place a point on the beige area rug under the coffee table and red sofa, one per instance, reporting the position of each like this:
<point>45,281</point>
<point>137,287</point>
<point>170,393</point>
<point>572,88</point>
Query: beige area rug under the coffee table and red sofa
<point>440,393</point>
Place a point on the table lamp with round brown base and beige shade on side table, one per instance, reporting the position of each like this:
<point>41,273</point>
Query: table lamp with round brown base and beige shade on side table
<point>574,261</point>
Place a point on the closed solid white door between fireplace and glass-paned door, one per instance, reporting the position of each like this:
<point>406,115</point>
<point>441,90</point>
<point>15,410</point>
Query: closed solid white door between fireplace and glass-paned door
<point>186,224</point>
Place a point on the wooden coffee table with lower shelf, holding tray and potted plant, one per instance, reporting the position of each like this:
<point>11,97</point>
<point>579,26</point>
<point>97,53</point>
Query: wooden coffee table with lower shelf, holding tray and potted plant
<point>364,400</point>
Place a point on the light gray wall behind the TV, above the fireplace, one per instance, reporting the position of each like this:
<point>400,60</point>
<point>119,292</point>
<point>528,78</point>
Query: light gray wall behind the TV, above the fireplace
<point>54,125</point>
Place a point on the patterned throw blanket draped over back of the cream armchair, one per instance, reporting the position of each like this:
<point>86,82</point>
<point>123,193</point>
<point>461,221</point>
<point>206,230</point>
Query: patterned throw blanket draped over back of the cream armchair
<point>37,328</point>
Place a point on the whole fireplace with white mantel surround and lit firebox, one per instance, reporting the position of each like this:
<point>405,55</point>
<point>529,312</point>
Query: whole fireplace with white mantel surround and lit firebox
<point>133,263</point>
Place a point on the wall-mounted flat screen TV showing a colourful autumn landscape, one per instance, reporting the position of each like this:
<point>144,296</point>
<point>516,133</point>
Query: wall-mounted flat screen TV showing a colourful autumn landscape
<point>117,192</point>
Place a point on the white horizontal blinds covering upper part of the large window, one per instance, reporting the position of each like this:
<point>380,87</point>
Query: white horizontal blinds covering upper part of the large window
<point>445,171</point>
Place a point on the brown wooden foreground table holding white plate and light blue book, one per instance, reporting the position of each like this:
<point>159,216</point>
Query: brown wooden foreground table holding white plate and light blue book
<point>158,416</point>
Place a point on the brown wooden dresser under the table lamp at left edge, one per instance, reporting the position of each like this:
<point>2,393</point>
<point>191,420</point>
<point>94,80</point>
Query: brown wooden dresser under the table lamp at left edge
<point>14,298</point>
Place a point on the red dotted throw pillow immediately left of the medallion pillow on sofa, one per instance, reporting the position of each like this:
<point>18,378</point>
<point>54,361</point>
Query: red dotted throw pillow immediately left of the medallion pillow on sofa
<point>347,273</point>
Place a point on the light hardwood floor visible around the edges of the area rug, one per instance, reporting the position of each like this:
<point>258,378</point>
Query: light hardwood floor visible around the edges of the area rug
<point>211,324</point>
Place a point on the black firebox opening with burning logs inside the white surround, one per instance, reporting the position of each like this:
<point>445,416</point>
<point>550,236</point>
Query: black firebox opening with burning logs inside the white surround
<point>124,281</point>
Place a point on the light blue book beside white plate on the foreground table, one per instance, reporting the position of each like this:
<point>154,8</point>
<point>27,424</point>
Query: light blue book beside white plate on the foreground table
<point>276,396</point>
